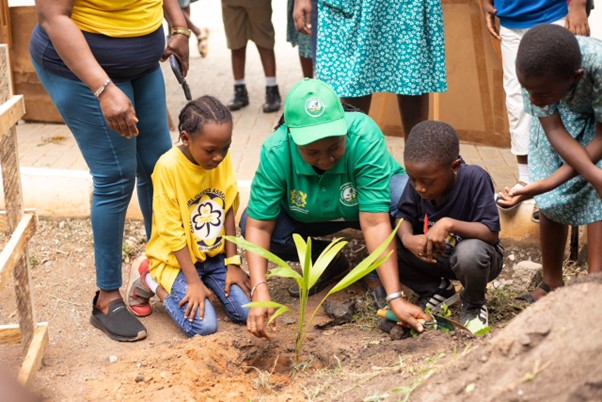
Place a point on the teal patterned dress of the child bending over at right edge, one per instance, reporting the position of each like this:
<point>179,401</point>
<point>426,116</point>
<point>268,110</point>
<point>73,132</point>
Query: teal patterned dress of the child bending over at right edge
<point>574,202</point>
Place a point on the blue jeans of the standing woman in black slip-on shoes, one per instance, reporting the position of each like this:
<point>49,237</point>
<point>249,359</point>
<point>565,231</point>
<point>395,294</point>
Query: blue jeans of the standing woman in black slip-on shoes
<point>115,162</point>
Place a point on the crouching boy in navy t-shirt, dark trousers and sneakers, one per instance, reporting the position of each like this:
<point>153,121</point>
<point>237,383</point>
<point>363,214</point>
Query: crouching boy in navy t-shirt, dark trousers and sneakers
<point>451,225</point>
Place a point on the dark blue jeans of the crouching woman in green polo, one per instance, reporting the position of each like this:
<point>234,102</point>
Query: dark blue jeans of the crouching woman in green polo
<point>282,243</point>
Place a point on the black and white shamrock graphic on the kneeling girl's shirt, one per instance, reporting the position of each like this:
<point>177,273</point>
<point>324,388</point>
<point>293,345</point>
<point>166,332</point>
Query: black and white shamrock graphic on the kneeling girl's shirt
<point>207,219</point>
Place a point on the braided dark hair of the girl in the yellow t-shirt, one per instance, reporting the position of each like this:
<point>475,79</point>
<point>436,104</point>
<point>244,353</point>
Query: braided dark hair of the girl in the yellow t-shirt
<point>201,111</point>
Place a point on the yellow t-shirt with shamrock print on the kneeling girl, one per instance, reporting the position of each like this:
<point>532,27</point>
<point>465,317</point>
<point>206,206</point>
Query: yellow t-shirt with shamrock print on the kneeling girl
<point>189,210</point>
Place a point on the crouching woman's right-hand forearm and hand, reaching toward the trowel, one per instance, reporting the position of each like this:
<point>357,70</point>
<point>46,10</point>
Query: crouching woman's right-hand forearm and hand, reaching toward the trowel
<point>376,227</point>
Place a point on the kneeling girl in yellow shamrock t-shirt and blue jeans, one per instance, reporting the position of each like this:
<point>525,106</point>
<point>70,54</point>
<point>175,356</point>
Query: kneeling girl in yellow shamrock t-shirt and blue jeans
<point>194,203</point>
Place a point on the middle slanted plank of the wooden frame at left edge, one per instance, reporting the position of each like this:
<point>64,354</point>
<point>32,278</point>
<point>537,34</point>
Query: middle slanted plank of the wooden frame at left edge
<point>16,246</point>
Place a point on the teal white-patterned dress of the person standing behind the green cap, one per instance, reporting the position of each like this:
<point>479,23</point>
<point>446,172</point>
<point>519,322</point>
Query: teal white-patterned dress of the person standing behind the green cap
<point>367,46</point>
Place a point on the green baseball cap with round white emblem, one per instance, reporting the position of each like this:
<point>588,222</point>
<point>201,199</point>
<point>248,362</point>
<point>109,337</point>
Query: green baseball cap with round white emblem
<point>313,111</point>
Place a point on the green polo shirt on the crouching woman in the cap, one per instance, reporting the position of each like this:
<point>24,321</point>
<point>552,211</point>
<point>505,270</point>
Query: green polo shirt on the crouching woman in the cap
<point>358,182</point>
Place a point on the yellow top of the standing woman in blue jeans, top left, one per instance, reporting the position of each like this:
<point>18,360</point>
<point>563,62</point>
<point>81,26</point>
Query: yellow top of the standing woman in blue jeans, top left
<point>118,18</point>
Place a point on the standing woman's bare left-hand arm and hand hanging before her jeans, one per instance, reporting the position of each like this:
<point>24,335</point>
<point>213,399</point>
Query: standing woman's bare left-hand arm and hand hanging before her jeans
<point>55,17</point>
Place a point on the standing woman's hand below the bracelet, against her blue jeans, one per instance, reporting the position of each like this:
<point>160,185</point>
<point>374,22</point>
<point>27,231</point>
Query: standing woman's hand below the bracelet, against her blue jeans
<point>118,111</point>
